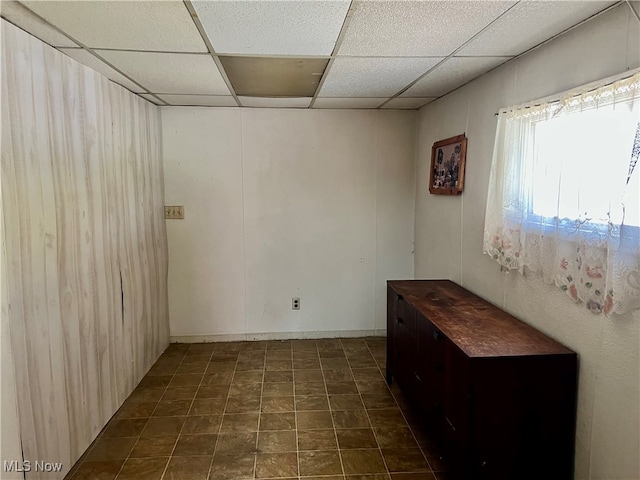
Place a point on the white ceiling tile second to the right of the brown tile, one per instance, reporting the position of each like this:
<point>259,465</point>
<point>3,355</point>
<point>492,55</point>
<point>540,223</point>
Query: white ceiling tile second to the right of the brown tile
<point>452,73</point>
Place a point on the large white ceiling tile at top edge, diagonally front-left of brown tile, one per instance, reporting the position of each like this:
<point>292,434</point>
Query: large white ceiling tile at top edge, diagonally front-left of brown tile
<point>127,25</point>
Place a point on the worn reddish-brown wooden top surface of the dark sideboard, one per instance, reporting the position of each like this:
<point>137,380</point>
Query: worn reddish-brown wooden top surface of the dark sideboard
<point>479,328</point>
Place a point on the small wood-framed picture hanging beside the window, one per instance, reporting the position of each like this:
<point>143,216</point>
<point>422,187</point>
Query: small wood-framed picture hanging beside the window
<point>447,166</point>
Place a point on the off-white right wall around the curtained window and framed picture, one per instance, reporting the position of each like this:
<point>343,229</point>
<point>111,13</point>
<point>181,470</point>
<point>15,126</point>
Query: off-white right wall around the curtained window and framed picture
<point>449,233</point>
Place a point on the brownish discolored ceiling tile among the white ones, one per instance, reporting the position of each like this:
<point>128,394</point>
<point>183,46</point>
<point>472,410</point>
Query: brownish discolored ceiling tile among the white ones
<point>274,77</point>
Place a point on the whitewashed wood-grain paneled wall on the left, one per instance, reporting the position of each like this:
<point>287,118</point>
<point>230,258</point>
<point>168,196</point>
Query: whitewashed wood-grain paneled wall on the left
<point>86,253</point>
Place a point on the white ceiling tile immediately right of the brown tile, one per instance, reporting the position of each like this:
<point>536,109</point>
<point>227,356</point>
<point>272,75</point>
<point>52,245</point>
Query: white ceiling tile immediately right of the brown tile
<point>373,77</point>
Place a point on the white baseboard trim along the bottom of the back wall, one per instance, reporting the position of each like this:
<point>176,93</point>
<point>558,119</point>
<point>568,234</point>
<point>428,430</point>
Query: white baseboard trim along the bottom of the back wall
<point>243,337</point>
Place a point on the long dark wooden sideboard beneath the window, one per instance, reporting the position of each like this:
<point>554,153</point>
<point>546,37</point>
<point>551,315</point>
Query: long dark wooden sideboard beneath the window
<point>497,394</point>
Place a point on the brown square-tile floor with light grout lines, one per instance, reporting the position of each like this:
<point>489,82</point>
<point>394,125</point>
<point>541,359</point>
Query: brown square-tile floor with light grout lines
<point>294,409</point>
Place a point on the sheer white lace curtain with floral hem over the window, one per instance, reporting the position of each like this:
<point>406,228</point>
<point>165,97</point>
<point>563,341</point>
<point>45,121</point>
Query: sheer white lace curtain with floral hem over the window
<point>564,196</point>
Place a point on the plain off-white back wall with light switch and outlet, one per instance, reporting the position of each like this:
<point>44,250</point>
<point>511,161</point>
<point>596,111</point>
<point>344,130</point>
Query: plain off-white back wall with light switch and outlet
<point>286,203</point>
